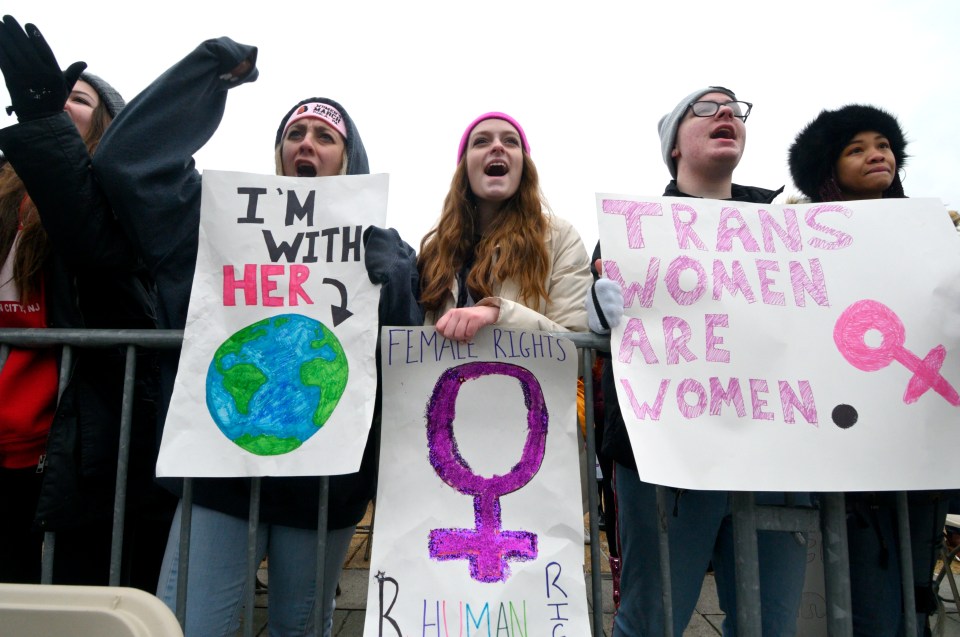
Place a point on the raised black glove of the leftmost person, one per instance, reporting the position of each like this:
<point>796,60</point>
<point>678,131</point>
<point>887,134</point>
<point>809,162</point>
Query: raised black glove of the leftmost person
<point>37,86</point>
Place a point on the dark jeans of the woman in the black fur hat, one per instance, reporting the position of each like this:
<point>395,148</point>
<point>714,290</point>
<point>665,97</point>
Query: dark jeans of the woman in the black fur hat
<point>875,585</point>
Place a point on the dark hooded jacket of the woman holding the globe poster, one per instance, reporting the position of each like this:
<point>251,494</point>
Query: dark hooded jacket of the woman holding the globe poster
<point>156,195</point>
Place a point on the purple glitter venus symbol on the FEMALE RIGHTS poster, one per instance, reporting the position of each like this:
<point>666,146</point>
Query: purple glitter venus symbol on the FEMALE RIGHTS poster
<point>487,547</point>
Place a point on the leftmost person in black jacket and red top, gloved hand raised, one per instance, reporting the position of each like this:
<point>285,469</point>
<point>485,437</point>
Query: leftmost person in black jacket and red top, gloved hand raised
<point>65,263</point>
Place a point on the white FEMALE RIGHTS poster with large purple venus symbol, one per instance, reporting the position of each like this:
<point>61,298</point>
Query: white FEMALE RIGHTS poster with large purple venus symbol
<point>479,520</point>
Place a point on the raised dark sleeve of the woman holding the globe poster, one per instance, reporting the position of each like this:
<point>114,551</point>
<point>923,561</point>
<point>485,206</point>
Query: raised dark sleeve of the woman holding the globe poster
<point>145,163</point>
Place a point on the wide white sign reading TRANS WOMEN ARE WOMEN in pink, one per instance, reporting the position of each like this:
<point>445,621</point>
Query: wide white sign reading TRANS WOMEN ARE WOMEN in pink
<point>809,347</point>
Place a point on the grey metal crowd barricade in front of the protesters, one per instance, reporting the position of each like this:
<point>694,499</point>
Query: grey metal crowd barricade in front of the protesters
<point>748,518</point>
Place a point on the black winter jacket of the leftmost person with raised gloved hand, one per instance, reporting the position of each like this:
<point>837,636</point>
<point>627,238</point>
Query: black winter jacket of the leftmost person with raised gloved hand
<point>92,279</point>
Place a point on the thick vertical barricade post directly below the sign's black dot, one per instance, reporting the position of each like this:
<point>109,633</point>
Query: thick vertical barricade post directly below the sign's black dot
<point>836,565</point>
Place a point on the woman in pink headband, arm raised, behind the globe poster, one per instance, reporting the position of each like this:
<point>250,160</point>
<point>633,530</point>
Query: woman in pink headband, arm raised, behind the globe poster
<point>156,193</point>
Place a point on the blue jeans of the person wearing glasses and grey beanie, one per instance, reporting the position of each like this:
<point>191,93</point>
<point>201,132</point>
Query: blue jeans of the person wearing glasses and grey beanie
<point>700,532</point>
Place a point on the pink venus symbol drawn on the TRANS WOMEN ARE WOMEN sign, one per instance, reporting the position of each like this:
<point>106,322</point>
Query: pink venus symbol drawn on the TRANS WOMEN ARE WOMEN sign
<point>864,316</point>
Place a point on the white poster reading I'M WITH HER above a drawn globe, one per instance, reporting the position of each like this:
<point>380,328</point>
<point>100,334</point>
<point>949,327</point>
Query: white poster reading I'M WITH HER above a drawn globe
<point>277,375</point>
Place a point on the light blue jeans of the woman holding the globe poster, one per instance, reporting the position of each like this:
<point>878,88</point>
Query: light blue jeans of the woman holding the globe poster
<point>216,581</point>
